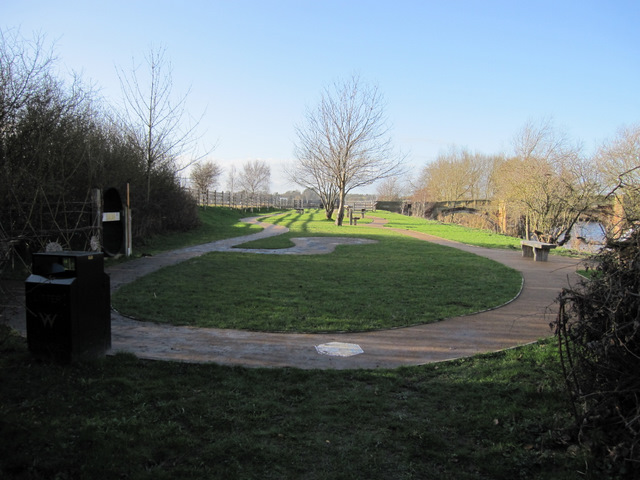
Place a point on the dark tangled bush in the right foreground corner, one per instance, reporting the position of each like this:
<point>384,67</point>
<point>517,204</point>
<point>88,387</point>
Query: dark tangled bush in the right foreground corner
<point>598,328</point>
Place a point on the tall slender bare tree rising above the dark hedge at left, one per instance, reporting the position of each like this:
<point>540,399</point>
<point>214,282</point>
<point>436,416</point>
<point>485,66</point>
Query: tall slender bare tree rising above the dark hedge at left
<point>157,120</point>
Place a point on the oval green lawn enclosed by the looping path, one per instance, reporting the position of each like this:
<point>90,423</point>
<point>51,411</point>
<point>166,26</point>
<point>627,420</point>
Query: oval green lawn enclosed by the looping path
<point>395,282</point>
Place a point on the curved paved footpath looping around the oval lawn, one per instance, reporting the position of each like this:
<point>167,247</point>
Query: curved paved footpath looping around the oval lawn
<point>524,320</point>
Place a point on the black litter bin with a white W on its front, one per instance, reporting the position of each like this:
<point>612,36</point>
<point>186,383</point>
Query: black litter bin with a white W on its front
<point>68,306</point>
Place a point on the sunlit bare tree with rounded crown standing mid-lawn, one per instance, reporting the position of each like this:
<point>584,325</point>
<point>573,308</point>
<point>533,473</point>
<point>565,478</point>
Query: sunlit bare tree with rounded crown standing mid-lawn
<point>345,143</point>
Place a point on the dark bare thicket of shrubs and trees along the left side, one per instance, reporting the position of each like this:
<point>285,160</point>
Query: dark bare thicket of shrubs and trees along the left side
<point>47,121</point>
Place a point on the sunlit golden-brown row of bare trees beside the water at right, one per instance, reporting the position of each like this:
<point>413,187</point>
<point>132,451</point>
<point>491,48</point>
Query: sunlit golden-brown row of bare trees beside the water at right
<point>542,188</point>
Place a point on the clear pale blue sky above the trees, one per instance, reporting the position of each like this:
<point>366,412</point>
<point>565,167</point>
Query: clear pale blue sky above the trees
<point>463,73</point>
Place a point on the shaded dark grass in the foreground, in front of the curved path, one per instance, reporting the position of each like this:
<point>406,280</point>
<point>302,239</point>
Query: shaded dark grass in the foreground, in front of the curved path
<point>497,416</point>
